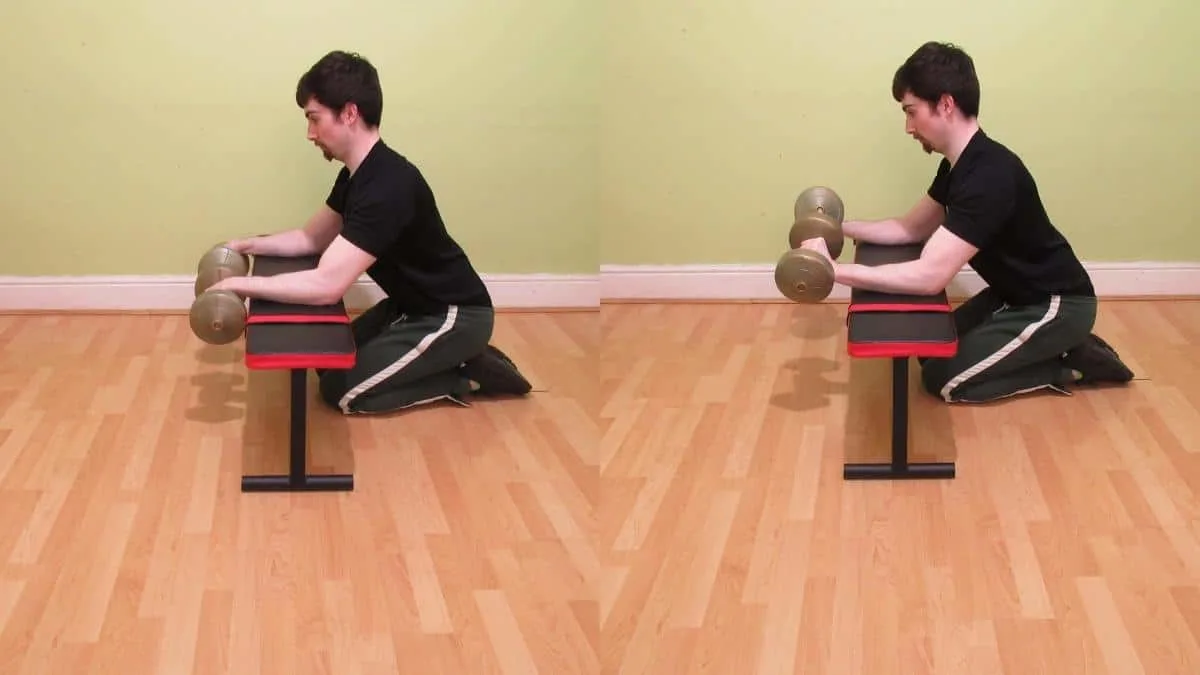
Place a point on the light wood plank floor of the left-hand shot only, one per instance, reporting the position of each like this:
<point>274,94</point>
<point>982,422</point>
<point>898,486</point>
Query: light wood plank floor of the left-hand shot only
<point>127,547</point>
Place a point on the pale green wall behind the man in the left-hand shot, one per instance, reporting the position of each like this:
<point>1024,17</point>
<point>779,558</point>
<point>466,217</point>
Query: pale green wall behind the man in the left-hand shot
<point>139,134</point>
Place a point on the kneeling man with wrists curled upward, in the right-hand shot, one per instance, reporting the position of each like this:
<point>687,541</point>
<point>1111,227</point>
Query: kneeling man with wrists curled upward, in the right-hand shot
<point>1031,327</point>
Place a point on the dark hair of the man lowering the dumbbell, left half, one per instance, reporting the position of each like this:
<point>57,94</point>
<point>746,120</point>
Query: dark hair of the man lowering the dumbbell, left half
<point>340,79</point>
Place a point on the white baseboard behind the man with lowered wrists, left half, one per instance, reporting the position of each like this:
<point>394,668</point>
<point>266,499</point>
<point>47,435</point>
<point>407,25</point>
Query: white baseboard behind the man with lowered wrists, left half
<point>177,294</point>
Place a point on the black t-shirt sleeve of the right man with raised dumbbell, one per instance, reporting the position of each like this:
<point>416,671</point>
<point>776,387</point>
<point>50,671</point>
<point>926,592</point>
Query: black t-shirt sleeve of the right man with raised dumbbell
<point>981,205</point>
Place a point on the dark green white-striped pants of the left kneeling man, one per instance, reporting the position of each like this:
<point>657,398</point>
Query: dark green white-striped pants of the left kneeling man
<point>406,360</point>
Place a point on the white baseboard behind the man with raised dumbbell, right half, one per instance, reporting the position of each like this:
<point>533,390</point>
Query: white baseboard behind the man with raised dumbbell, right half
<point>751,283</point>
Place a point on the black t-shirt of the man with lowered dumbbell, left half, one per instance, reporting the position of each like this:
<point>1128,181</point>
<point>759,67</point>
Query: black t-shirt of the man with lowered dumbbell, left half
<point>388,211</point>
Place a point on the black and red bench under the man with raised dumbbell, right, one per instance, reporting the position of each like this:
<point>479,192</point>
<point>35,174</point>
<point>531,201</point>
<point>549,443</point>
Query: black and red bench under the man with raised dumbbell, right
<point>898,327</point>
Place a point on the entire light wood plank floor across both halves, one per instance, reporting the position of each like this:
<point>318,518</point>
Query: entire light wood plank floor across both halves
<point>670,504</point>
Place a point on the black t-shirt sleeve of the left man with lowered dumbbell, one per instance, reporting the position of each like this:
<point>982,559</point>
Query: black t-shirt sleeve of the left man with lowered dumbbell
<point>377,216</point>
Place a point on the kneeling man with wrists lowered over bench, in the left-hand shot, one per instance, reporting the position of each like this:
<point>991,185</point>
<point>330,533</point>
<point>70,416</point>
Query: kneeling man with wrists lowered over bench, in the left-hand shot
<point>429,339</point>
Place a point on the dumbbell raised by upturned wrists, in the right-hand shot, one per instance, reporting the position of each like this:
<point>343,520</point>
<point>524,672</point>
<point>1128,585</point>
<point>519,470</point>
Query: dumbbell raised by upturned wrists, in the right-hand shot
<point>803,276</point>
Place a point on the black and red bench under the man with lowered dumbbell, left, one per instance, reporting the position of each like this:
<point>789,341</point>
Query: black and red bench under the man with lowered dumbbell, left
<point>297,338</point>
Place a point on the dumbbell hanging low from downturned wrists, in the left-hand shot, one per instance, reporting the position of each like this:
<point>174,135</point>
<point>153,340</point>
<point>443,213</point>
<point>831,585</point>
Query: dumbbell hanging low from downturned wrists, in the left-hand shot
<point>219,318</point>
